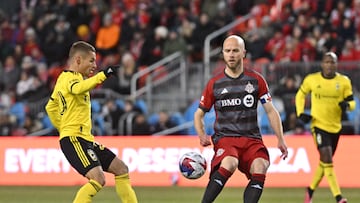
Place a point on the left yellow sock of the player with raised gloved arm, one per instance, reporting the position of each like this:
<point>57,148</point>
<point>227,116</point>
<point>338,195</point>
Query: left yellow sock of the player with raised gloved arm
<point>87,191</point>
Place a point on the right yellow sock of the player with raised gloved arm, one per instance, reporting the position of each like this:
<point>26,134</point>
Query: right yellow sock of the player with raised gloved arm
<point>124,189</point>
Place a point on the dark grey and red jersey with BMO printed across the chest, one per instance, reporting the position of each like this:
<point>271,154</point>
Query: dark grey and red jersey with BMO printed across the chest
<point>235,102</point>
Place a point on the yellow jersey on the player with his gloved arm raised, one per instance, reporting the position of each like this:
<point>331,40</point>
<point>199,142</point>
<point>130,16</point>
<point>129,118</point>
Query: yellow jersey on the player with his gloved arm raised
<point>69,107</point>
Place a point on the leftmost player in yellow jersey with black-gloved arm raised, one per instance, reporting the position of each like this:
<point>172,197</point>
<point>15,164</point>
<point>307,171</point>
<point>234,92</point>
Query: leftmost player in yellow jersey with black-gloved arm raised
<point>69,110</point>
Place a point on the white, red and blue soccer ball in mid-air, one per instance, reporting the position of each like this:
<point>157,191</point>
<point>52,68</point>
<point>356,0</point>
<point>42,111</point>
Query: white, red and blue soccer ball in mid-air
<point>192,165</point>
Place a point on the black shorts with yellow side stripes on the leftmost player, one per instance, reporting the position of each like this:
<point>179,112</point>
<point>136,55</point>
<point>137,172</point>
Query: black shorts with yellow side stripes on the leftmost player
<point>84,155</point>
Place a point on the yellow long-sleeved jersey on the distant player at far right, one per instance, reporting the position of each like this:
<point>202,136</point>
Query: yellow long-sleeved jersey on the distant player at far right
<point>325,97</point>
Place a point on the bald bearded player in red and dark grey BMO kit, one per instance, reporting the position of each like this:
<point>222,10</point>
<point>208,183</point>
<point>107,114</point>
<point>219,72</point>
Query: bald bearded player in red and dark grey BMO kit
<point>237,141</point>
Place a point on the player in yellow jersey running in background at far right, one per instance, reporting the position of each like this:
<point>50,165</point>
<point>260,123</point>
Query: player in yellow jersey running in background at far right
<point>331,95</point>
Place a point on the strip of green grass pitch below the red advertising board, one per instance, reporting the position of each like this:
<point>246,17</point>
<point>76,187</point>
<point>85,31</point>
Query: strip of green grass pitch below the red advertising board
<point>46,194</point>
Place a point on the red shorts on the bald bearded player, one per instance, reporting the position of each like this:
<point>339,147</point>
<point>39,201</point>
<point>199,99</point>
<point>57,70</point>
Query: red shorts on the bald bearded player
<point>245,149</point>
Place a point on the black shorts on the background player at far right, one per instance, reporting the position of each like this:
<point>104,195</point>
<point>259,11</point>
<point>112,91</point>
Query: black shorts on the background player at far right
<point>324,139</point>
